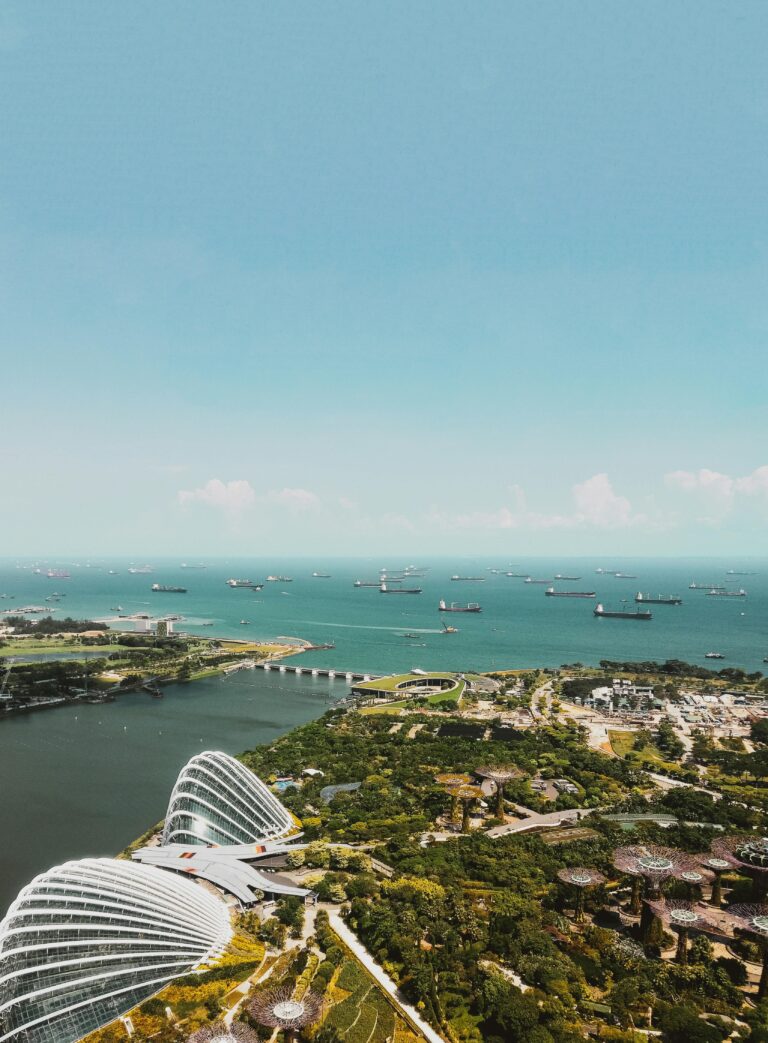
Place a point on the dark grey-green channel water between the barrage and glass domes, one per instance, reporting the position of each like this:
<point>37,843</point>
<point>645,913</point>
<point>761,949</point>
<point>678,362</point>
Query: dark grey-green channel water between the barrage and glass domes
<point>86,781</point>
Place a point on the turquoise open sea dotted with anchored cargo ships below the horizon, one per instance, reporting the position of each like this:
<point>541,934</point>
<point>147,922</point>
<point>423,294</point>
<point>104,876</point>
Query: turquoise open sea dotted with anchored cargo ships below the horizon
<point>519,626</point>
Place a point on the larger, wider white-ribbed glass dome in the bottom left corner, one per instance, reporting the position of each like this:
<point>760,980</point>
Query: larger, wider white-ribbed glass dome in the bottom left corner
<point>88,940</point>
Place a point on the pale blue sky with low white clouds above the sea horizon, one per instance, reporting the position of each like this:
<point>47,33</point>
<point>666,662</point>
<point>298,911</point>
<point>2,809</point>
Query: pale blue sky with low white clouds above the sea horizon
<point>349,278</point>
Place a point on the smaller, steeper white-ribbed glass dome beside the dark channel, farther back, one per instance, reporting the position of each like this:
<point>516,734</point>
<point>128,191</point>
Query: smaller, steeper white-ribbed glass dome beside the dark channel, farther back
<point>218,801</point>
